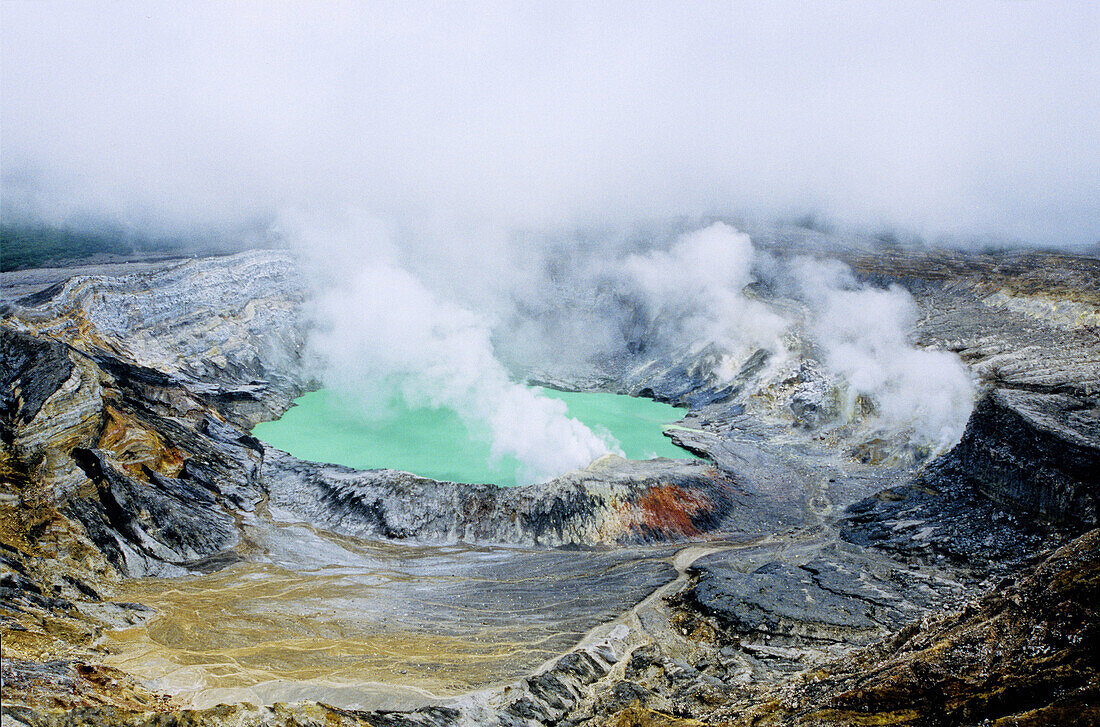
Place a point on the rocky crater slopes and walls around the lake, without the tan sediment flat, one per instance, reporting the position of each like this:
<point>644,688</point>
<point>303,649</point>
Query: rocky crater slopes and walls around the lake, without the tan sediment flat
<point>127,404</point>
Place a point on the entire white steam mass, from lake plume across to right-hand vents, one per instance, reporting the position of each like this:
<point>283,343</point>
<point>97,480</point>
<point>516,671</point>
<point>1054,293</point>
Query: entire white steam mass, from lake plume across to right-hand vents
<point>383,326</point>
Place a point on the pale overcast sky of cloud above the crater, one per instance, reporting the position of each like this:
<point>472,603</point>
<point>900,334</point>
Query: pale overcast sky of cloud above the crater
<point>942,117</point>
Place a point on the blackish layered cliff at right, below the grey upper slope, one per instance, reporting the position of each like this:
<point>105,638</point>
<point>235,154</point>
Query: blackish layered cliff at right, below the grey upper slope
<point>1024,477</point>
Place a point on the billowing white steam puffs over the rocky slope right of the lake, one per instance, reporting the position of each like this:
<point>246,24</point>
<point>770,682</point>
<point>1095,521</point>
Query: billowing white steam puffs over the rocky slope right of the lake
<point>701,285</point>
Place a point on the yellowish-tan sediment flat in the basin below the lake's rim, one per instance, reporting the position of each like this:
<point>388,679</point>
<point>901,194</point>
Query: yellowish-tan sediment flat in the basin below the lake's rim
<point>256,632</point>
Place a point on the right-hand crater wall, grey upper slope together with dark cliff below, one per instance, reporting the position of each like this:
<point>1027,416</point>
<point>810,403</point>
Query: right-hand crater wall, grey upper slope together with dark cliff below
<point>1025,473</point>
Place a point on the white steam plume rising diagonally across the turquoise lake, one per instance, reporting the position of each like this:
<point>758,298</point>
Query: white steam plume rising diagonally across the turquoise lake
<point>380,329</point>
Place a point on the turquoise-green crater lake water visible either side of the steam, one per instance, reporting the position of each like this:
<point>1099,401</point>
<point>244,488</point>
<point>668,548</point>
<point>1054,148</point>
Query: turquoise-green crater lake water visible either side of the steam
<point>436,444</point>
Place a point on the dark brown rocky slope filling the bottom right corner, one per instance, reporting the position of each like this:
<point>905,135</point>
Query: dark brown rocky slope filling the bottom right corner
<point>1024,655</point>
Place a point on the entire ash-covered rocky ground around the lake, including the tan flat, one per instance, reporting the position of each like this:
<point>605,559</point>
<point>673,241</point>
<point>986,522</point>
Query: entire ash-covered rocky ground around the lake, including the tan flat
<point>829,561</point>
